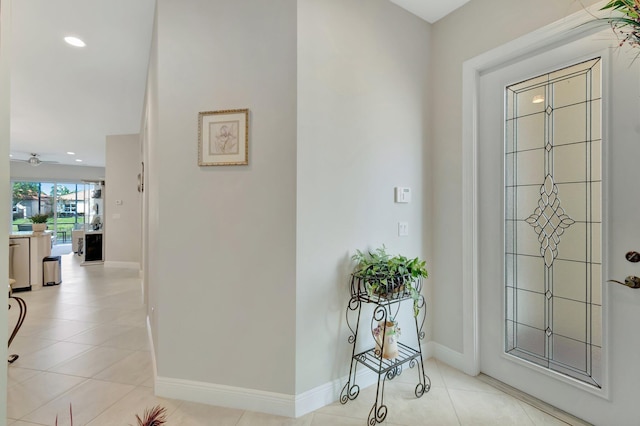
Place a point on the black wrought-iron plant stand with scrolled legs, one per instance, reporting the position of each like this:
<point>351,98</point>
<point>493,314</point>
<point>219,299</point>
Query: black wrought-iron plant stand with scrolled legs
<point>387,369</point>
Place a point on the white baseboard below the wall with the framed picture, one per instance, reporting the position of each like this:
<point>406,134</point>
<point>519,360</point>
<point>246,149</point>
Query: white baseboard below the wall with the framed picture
<point>226,396</point>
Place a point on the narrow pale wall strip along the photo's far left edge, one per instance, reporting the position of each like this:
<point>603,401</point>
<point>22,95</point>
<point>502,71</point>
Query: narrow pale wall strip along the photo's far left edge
<point>5,31</point>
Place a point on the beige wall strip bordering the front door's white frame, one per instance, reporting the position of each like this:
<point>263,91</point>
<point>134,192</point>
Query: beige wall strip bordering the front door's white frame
<point>469,31</point>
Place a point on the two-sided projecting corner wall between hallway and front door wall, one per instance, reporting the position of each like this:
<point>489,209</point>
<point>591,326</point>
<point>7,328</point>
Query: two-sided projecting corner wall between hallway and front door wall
<point>249,264</point>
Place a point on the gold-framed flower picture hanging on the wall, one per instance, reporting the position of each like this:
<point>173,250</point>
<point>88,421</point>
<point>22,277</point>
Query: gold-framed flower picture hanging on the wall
<point>223,138</point>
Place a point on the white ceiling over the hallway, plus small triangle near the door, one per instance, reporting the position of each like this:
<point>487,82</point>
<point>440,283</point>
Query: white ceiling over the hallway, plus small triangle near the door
<point>68,99</point>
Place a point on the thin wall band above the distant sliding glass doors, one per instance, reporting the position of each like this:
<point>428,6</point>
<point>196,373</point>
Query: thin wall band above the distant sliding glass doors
<point>55,172</point>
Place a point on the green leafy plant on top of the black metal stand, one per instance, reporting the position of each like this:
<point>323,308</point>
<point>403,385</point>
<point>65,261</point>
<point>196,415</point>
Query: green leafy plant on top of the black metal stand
<point>390,277</point>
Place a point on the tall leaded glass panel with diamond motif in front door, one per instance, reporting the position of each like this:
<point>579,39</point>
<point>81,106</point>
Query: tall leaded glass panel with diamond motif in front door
<point>553,221</point>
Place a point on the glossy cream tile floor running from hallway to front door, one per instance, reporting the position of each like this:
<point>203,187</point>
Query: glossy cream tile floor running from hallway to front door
<point>85,343</point>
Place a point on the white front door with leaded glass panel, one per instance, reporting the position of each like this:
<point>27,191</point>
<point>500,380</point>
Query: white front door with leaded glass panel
<point>559,206</point>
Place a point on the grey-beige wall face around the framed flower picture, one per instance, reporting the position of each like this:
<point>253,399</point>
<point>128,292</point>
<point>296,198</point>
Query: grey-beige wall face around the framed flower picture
<point>224,237</point>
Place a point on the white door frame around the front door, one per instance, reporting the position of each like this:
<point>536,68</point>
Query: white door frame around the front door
<point>571,28</point>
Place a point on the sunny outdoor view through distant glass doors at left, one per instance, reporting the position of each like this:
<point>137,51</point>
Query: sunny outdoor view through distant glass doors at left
<point>62,202</point>
